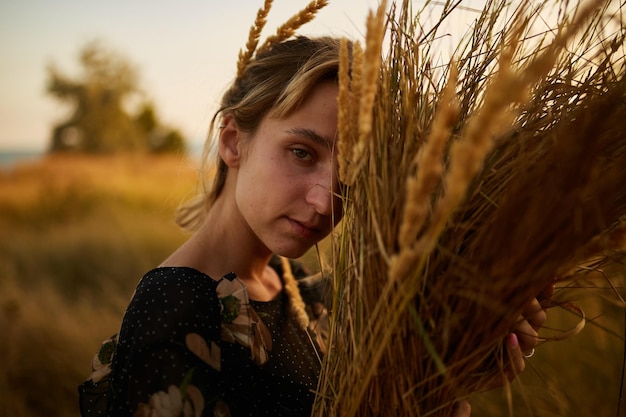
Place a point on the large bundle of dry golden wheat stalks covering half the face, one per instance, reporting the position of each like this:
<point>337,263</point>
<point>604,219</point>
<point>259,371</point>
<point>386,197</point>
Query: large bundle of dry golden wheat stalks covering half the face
<point>465,198</point>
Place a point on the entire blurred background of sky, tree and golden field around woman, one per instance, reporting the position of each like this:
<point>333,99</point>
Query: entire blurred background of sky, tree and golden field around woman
<point>103,107</point>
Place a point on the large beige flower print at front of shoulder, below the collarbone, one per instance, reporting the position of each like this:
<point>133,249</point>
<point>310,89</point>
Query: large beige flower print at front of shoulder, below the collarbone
<point>240,323</point>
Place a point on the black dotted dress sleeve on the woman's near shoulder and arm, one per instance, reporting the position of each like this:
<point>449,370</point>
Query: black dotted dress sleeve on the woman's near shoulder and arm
<point>168,357</point>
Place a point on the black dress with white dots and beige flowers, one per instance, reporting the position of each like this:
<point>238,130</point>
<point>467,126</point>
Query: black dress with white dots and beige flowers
<point>193,346</point>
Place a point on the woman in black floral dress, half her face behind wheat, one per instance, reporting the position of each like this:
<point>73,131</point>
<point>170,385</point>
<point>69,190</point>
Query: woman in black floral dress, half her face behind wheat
<point>219,328</point>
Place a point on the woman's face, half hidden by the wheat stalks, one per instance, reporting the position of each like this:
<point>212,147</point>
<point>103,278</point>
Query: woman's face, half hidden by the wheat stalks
<point>287,180</point>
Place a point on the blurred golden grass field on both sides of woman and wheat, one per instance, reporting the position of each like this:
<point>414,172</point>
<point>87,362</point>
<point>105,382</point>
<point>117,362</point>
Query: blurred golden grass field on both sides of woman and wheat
<point>78,232</point>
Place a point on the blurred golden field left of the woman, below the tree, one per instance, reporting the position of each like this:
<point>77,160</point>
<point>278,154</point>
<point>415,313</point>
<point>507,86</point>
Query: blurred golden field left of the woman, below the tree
<point>77,234</point>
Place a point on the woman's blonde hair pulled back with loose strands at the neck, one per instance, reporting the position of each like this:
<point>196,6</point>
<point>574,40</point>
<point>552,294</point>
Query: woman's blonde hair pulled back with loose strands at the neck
<point>276,81</point>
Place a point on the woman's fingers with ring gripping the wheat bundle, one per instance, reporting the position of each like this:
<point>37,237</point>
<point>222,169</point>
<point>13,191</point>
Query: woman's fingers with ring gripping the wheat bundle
<point>522,341</point>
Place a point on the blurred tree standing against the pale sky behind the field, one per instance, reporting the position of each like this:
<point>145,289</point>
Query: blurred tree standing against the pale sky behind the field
<point>100,121</point>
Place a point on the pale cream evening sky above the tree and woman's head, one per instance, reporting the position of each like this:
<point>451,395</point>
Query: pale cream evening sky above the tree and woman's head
<point>185,51</point>
